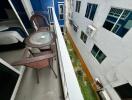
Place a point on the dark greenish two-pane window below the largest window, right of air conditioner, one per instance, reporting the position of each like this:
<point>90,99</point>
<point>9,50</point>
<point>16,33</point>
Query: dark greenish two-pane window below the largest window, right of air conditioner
<point>98,54</point>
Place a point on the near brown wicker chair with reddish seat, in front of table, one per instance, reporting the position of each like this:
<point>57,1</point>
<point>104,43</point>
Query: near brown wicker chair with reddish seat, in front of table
<point>37,61</point>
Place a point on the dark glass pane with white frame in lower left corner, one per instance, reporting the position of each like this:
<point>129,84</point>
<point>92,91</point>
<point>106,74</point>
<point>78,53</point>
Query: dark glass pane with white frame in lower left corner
<point>8,80</point>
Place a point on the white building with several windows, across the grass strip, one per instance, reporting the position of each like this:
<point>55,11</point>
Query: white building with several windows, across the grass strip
<point>101,30</point>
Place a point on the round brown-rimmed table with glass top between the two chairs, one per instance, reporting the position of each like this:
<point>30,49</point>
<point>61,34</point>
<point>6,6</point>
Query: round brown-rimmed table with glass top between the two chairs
<point>40,39</point>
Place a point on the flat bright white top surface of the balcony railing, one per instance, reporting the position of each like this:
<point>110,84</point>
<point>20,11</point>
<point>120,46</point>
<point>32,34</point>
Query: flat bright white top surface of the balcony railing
<point>74,91</point>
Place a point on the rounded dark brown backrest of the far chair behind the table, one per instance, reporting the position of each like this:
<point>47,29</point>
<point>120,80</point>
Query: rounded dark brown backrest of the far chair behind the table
<point>40,20</point>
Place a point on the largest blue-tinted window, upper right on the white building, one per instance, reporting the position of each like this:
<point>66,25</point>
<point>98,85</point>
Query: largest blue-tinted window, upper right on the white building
<point>118,21</point>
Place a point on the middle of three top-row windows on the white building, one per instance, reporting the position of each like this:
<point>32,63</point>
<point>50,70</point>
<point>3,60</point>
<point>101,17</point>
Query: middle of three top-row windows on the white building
<point>90,11</point>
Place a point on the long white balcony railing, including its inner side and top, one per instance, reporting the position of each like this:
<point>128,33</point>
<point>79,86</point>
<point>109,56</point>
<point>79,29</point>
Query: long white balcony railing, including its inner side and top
<point>69,80</point>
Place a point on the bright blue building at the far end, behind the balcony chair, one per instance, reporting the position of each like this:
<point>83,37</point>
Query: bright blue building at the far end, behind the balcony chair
<point>44,6</point>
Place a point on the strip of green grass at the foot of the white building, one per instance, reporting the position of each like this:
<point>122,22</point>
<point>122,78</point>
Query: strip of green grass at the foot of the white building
<point>86,89</point>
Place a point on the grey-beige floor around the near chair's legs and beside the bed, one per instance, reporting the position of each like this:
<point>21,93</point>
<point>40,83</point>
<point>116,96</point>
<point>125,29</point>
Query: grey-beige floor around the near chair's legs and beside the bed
<point>49,87</point>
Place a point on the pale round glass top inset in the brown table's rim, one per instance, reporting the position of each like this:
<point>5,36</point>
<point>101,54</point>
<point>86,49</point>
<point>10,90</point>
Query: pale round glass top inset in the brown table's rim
<point>41,38</point>
